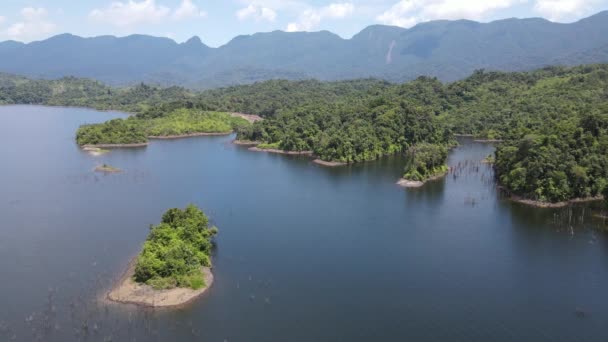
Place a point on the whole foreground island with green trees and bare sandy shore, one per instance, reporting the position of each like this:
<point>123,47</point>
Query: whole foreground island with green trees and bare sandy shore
<point>174,266</point>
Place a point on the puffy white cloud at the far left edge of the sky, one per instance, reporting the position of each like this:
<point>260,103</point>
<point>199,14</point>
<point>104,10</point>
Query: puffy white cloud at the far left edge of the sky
<point>34,24</point>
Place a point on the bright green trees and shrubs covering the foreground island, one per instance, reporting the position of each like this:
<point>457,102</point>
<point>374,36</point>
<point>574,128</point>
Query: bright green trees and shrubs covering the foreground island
<point>176,250</point>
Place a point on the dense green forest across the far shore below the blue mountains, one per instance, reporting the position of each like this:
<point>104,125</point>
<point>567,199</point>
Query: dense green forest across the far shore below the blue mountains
<point>553,121</point>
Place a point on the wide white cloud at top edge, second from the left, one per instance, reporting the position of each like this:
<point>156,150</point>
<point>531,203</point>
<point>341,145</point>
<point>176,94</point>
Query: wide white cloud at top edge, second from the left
<point>133,13</point>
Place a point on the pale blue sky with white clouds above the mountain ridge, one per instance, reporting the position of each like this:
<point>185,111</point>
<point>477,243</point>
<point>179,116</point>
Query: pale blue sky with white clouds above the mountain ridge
<point>216,22</point>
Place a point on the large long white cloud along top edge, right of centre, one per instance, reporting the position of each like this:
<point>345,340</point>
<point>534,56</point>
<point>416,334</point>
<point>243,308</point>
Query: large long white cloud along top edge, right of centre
<point>407,13</point>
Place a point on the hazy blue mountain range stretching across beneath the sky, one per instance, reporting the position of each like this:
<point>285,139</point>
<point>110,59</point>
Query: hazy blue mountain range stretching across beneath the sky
<point>449,50</point>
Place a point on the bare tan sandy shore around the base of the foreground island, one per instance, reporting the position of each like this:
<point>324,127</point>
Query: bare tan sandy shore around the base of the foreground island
<point>127,291</point>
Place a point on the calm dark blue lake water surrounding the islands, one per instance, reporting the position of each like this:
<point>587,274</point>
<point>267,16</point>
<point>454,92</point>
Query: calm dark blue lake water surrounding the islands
<point>304,253</point>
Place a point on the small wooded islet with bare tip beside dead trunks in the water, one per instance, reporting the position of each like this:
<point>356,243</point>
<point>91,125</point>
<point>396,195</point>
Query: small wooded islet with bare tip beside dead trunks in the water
<point>425,162</point>
